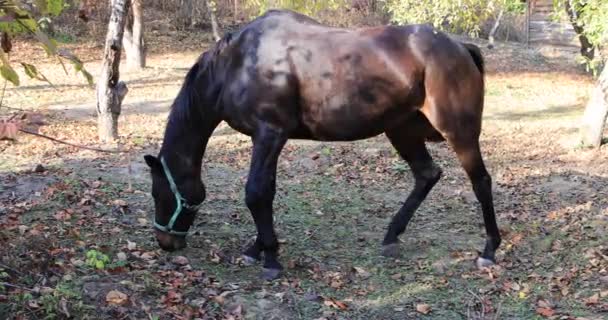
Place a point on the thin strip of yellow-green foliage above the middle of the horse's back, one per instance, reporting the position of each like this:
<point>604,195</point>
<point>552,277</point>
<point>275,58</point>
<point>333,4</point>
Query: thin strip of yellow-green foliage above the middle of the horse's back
<point>308,7</point>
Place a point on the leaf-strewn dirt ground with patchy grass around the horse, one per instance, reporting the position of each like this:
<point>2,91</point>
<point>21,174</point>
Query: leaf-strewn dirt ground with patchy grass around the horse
<point>77,238</point>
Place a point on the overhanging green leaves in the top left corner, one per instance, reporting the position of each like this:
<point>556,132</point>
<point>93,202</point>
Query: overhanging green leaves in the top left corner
<point>20,17</point>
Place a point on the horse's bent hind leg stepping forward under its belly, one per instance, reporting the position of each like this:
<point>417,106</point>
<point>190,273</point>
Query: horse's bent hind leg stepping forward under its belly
<point>426,174</point>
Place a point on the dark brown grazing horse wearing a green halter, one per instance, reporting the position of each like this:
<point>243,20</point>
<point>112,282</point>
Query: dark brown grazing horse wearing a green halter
<point>285,76</point>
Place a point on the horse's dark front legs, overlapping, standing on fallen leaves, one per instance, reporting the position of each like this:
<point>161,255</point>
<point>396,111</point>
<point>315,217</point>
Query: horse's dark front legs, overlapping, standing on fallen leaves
<point>260,191</point>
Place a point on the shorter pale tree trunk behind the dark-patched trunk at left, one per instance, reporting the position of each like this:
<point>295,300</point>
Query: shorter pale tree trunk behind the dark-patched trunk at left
<point>133,40</point>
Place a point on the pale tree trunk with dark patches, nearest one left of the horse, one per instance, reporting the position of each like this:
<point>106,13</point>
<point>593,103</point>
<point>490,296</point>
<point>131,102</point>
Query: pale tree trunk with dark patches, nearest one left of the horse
<point>111,91</point>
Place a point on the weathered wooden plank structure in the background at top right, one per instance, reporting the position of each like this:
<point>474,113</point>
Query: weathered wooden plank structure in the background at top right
<point>542,30</point>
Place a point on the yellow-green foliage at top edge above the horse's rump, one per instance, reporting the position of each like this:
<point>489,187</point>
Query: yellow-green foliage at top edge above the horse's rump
<point>450,15</point>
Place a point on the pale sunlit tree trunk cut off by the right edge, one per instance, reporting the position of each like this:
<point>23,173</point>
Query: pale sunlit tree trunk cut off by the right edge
<point>596,111</point>
